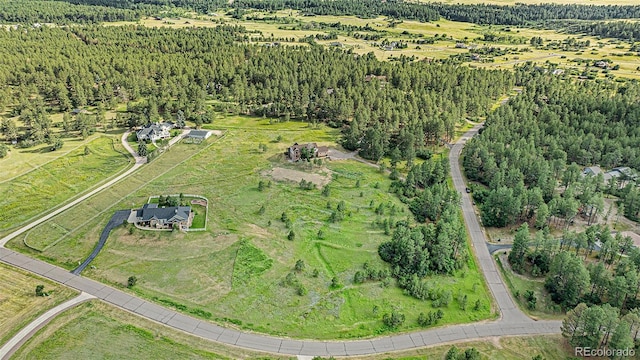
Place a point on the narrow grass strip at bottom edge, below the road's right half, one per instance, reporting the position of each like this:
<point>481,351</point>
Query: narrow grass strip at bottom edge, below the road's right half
<point>506,348</point>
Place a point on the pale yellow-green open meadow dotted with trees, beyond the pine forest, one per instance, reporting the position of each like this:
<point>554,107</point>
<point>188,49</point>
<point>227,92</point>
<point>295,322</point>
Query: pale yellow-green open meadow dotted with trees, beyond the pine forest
<point>508,45</point>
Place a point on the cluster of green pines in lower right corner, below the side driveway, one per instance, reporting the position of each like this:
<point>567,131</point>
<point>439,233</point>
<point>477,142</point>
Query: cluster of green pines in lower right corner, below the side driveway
<point>604,292</point>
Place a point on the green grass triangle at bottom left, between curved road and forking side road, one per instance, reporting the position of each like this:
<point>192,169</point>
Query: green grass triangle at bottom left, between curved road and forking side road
<point>97,330</point>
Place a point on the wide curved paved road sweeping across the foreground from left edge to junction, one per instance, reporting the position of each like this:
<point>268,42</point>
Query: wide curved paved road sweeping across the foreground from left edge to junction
<point>272,344</point>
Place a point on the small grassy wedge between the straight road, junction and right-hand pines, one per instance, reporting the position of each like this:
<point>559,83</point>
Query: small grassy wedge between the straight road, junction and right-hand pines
<point>520,285</point>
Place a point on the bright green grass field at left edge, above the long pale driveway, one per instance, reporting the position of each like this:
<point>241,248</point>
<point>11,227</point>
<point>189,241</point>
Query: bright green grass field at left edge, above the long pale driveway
<point>59,180</point>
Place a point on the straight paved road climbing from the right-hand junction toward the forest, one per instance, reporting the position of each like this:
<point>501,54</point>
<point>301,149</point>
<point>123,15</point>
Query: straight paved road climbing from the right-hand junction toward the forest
<point>510,313</point>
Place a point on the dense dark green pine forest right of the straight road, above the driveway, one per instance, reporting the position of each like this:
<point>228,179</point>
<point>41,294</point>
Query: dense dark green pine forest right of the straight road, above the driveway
<point>531,154</point>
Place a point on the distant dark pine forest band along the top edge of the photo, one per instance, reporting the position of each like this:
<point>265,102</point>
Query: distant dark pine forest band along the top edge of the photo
<point>519,14</point>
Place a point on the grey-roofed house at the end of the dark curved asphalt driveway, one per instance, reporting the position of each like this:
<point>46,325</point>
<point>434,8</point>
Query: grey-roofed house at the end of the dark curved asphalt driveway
<point>163,218</point>
